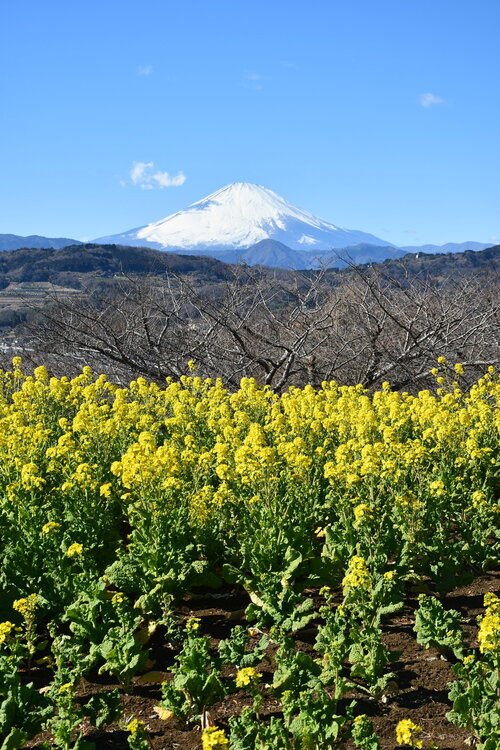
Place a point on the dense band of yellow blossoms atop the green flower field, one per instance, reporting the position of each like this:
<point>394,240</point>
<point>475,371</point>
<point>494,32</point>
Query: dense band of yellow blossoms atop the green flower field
<point>79,449</point>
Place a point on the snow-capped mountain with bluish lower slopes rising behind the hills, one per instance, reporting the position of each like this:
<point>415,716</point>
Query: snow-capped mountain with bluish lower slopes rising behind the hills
<point>238,216</point>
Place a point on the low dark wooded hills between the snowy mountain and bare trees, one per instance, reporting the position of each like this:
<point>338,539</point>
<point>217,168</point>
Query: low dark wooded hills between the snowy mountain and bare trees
<point>29,277</point>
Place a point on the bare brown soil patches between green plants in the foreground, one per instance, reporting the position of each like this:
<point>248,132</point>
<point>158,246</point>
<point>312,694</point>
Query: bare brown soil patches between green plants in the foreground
<point>422,675</point>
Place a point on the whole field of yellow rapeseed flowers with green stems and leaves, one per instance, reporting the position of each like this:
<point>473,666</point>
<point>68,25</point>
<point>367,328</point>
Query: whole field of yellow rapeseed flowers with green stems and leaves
<point>321,506</point>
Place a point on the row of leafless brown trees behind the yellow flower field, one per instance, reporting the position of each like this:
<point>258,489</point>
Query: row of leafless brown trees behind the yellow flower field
<point>364,325</point>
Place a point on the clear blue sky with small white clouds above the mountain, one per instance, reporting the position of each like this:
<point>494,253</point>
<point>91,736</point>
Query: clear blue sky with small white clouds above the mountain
<point>382,116</point>
